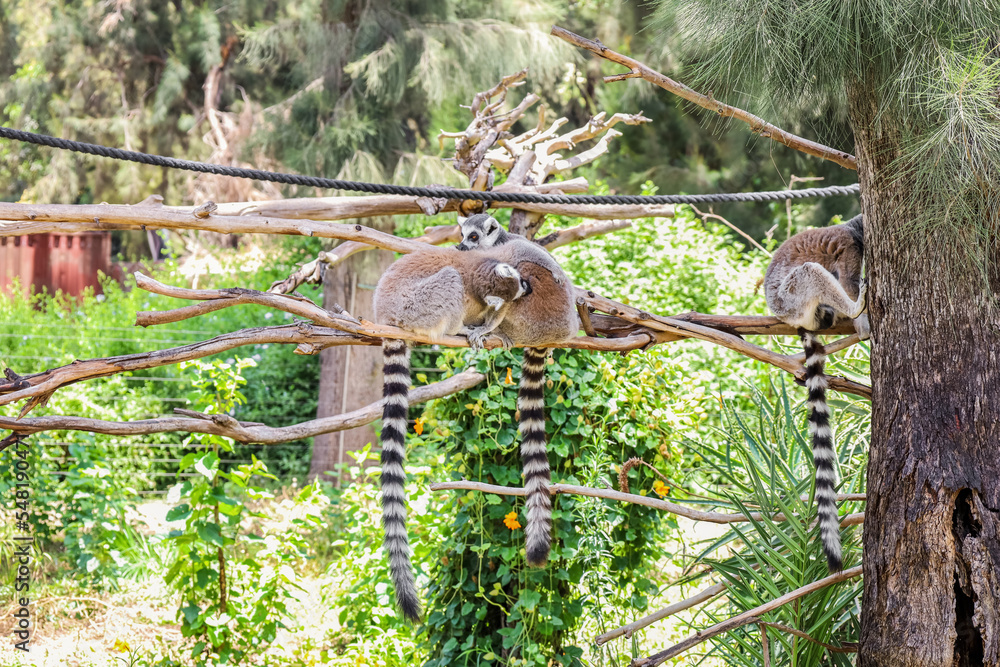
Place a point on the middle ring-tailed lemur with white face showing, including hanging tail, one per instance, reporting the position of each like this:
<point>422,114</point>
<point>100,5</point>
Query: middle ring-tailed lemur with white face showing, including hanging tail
<point>545,317</point>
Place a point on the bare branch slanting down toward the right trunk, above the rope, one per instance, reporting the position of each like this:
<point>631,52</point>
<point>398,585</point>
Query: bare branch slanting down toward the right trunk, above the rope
<point>757,125</point>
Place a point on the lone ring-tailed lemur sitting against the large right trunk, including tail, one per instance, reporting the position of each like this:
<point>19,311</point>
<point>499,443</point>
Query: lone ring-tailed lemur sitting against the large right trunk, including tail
<point>814,279</point>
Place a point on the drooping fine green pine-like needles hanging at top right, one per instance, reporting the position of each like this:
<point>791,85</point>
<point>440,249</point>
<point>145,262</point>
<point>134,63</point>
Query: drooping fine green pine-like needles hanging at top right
<point>926,72</point>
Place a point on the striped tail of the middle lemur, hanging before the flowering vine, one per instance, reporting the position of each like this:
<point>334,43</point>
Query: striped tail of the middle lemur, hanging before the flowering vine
<point>534,457</point>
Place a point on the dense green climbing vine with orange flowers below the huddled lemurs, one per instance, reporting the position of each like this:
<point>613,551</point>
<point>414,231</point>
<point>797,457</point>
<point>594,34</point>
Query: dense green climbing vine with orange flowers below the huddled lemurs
<point>483,600</point>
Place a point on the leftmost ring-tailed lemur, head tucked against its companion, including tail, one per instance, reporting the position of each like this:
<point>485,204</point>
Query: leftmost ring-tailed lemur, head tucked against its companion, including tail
<point>431,293</point>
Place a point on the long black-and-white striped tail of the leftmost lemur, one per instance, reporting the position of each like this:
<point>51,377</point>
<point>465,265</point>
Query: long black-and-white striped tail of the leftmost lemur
<point>396,379</point>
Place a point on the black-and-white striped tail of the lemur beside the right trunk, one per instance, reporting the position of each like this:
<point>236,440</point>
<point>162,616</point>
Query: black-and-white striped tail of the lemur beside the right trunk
<point>823,451</point>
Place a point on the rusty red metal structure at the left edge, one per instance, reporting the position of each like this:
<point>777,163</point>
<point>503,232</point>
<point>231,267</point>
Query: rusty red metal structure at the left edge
<point>67,262</point>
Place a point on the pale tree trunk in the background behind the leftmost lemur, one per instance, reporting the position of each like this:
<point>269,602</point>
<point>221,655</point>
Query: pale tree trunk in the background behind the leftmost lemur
<point>350,375</point>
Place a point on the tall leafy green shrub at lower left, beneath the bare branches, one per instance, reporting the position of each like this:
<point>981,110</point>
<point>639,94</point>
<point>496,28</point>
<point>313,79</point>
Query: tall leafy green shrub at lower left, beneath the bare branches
<point>234,583</point>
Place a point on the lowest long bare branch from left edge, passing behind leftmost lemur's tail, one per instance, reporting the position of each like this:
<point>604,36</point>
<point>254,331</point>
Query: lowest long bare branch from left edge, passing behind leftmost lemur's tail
<point>224,425</point>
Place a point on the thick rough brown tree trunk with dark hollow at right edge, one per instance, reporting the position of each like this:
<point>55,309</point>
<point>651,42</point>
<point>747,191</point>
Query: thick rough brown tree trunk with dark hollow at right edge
<point>932,519</point>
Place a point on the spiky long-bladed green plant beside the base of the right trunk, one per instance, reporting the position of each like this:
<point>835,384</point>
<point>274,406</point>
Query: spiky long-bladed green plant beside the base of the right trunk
<point>766,467</point>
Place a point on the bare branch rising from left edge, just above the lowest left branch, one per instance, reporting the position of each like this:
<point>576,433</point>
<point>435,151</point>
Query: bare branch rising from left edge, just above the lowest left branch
<point>310,339</point>
